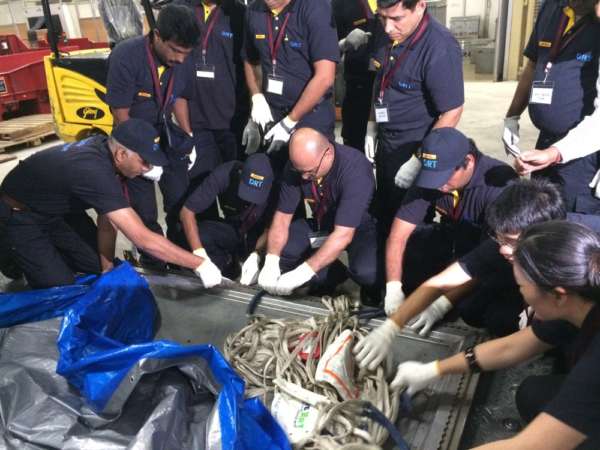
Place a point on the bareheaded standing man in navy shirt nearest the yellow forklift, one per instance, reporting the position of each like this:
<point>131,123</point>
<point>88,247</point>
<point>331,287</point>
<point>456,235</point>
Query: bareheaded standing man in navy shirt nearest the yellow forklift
<point>147,80</point>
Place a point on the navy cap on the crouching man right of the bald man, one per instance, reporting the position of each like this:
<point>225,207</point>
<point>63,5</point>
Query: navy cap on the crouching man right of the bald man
<point>442,152</point>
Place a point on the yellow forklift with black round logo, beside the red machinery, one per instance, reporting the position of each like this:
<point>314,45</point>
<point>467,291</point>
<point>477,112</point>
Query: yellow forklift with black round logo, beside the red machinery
<point>77,80</point>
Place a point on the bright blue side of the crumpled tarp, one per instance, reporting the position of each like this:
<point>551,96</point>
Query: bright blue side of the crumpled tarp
<point>108,328</point>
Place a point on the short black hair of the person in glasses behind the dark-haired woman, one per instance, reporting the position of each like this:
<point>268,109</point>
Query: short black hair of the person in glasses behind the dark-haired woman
<point>524,203</point>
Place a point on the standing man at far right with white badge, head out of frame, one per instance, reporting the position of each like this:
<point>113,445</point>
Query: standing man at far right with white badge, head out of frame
<point>558,86</point>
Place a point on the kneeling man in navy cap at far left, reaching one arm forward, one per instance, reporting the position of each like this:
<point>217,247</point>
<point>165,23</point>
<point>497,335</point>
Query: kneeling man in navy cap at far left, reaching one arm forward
<point>69,179</point>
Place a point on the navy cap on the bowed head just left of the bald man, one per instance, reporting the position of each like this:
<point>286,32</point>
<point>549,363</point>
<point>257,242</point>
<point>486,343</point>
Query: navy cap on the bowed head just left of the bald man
<point>256,180</point>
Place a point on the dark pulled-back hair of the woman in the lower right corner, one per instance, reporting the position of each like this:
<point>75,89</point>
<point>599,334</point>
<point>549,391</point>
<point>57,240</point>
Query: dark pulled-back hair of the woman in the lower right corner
<point>561,253</point>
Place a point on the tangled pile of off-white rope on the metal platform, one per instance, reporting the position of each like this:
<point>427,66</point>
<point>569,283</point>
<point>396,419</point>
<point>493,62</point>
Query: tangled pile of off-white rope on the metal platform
<point>268,349</point>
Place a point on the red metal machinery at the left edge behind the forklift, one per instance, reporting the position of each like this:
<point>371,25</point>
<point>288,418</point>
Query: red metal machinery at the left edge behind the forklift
<point>23,88</point>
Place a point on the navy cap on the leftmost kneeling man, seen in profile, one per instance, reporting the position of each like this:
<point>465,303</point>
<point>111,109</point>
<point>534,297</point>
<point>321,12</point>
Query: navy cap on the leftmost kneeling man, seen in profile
<point>139,136</point>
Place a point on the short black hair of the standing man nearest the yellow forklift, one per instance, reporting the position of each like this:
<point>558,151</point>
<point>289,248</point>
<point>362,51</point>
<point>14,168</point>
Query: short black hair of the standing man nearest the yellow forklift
<point>177,23</point>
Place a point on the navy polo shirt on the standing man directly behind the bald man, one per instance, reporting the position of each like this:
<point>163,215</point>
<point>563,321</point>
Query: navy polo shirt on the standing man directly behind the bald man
<point>310,36</point>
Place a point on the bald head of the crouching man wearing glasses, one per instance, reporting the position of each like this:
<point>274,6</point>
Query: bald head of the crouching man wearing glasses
<point>307,148</point>
